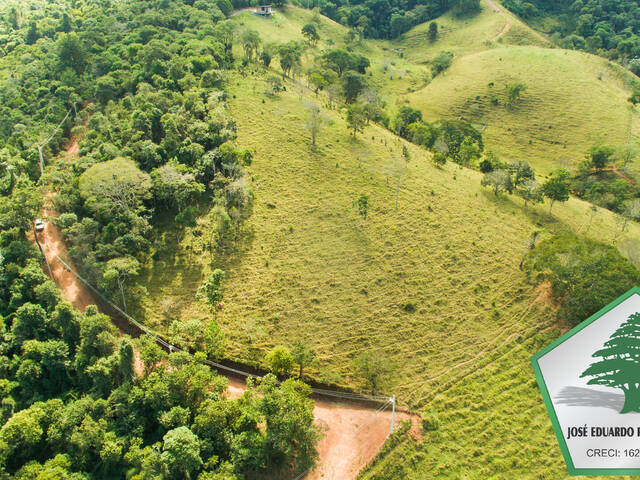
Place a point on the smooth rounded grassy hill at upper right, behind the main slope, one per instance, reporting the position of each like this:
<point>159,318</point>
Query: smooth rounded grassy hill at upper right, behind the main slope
<point>573,101</point>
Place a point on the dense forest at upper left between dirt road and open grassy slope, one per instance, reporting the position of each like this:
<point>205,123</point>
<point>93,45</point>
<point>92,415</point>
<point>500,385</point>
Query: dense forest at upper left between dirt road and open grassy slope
<point>156,135</point>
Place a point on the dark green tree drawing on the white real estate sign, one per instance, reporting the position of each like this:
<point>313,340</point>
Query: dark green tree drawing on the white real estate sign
<point>619,366</point>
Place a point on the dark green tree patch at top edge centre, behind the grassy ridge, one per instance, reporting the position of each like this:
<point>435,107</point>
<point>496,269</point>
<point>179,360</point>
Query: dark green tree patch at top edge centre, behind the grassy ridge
<point>391,18</point>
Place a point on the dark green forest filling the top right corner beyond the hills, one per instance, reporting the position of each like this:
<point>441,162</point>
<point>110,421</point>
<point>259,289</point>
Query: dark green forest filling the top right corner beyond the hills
<point>607,28</point>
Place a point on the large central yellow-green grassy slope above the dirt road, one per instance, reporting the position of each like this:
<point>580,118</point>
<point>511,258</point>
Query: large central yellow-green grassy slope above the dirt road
<point>434,285</point>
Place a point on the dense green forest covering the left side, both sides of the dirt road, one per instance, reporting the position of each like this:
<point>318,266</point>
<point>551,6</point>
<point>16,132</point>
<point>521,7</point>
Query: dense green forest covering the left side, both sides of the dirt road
<point>142,84</point>
